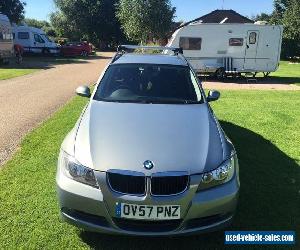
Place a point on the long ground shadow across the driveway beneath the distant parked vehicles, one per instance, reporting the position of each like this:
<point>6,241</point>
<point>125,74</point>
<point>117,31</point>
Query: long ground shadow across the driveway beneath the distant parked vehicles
<point>47,62</point>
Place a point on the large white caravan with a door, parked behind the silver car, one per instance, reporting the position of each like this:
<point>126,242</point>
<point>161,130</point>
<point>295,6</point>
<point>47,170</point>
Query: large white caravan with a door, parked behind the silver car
<point>226,49</point>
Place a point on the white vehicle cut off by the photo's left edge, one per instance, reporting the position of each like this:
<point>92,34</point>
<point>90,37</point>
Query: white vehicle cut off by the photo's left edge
<point>6,39</point>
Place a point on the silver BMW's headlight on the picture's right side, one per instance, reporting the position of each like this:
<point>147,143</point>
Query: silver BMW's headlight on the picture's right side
<point>219,176</point>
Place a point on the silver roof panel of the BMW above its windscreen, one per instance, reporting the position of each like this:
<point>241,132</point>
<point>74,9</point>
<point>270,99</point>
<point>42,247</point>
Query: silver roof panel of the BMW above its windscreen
<point>151,59</point>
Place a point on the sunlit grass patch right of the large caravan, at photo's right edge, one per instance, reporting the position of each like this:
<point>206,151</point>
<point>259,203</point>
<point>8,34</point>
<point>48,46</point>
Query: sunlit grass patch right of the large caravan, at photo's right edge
<point>287,73</point>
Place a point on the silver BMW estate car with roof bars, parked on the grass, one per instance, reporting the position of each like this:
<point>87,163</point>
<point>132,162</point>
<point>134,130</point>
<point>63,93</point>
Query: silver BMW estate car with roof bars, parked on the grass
<point>147,155</point>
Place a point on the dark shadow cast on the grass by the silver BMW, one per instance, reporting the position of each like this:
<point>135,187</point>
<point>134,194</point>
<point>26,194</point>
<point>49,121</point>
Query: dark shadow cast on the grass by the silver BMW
<point>269,199</point>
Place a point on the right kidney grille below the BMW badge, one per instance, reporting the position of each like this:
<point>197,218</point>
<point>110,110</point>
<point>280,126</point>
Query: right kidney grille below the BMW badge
<point>169,185</point>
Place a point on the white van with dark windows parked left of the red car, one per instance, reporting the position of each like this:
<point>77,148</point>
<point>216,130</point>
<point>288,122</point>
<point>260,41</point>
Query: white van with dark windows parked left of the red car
<point>34,40</point>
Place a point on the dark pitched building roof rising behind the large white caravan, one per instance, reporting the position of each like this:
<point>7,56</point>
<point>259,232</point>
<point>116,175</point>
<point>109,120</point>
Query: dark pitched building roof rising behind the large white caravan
<point>221,16</point>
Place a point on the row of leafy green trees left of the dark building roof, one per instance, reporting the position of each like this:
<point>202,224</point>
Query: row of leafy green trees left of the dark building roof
<point>102,21</point>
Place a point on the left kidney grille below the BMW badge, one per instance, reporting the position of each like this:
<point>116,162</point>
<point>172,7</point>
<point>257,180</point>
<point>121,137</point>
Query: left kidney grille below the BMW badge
<point>127,184</point>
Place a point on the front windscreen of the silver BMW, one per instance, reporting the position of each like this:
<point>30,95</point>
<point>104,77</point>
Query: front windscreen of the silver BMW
<point>149,83</point>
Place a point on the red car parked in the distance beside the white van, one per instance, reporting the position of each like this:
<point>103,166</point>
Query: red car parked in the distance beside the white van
<point>76,49</point>
